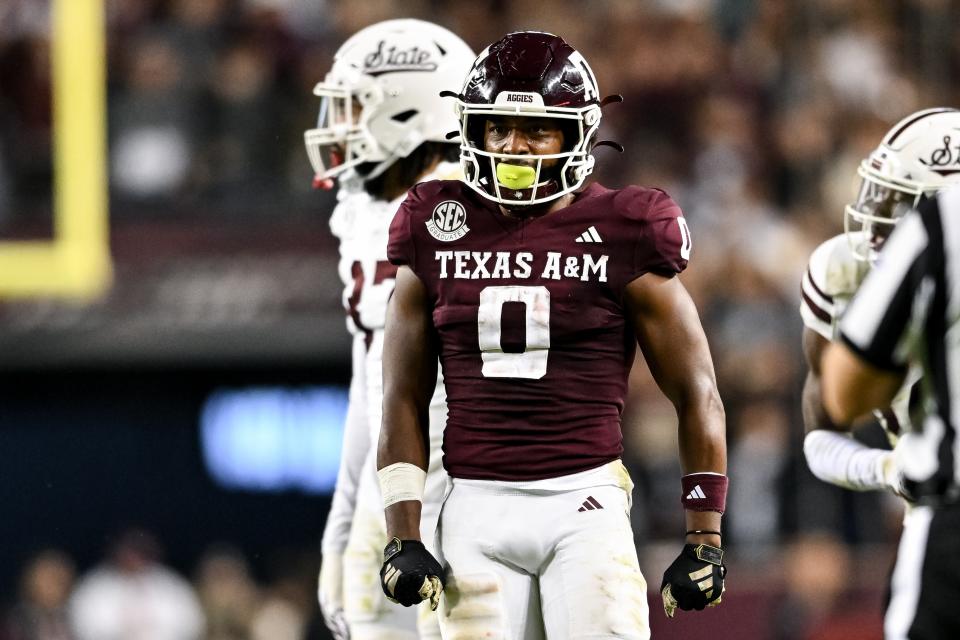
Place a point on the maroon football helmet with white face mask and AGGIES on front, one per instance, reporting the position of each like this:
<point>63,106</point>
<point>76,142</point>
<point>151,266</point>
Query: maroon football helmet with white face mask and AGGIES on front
<point>536,74</point>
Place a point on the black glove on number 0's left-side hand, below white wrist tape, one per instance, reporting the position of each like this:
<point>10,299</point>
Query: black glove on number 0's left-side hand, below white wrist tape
<point>410,574</point>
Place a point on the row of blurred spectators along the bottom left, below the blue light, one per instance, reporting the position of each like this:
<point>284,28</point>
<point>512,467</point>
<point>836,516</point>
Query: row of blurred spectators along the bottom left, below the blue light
<point>133,595</point>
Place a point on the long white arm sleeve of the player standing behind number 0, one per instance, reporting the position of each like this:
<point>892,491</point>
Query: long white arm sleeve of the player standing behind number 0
<point>356,444</point>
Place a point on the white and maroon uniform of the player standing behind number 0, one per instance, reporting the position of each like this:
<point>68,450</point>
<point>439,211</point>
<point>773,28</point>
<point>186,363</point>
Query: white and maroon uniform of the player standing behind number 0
<point>355,524</point>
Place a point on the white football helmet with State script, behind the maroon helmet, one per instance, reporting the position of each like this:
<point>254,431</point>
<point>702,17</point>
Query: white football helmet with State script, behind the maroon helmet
<point>381,99</point>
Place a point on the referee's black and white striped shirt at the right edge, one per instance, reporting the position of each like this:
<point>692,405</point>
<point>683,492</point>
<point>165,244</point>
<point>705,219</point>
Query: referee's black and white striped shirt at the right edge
<point>908,311</point>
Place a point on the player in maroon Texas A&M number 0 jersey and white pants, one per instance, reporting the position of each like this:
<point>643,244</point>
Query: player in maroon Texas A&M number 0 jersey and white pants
<point>534,291</point>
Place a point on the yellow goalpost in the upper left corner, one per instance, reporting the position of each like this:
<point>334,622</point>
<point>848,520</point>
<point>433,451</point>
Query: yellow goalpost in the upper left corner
<point>76,262</point>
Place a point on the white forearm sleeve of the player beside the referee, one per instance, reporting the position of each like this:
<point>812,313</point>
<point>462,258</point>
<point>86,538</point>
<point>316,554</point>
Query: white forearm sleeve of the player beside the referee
<point>839,459</point>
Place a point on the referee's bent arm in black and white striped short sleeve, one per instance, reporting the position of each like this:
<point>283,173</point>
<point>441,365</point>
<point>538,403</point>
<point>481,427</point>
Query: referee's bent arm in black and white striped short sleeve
<point>866,367</point>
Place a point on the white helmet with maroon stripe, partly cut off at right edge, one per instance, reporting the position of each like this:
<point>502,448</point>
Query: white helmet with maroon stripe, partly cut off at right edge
<point>919,156</point>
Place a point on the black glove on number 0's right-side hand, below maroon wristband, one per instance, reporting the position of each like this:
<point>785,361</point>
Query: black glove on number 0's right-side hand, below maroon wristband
<point>694,580</point>
